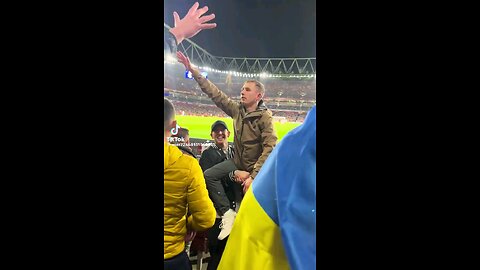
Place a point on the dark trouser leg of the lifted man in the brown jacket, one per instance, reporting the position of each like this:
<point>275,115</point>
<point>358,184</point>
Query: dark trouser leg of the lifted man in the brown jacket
<point>213,178</point>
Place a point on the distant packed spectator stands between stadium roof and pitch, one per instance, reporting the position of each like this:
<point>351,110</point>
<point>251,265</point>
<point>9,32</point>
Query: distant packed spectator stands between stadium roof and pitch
<point>289,98</point>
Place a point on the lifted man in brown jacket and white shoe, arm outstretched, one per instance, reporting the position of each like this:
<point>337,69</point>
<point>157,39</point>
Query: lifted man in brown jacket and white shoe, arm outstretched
<point>254,139</point>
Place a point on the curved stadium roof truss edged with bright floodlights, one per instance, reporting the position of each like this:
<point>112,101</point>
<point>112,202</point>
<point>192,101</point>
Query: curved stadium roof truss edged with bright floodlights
<point>252,67</point>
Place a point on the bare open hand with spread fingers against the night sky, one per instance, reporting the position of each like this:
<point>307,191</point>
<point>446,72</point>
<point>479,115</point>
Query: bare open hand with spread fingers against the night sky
<point>192,23</point>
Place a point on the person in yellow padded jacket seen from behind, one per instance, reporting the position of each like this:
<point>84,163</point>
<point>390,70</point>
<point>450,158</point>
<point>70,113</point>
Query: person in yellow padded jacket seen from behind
<point>184,190</point>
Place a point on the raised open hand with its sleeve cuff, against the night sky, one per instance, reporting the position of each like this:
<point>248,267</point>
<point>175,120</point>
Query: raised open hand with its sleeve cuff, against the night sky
<point>189,26</point>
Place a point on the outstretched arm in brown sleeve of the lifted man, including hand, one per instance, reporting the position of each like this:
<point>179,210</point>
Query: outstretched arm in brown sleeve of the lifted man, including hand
<point>230,107</point>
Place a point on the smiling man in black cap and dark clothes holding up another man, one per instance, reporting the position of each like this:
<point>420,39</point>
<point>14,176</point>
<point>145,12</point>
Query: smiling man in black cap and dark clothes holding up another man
<point>216,153</point>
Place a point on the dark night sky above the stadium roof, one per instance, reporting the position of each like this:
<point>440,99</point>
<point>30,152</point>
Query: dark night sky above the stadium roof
<point>254,28</point>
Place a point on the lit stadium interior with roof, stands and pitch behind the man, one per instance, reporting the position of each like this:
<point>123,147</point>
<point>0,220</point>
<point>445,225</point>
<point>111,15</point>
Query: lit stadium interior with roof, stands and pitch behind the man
<point>290,85</point>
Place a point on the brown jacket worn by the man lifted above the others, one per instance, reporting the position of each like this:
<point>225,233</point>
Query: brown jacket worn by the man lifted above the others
<point>255,136</point>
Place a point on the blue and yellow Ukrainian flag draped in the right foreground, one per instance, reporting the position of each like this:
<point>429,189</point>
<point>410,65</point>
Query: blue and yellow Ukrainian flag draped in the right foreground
<point>276,224</point>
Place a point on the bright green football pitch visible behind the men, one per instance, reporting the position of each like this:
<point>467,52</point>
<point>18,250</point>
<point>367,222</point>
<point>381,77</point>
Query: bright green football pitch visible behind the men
<point>199,126</point>
